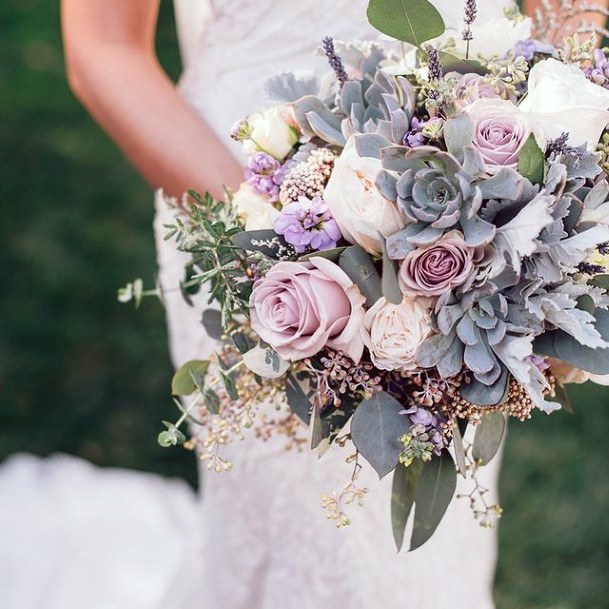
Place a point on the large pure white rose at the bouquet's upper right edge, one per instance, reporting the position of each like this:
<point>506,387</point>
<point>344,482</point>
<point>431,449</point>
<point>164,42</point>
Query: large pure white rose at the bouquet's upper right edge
<point>561,99</point>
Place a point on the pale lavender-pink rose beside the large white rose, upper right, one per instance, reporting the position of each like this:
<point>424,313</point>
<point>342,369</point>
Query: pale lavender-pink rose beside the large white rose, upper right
<point>500,131</point>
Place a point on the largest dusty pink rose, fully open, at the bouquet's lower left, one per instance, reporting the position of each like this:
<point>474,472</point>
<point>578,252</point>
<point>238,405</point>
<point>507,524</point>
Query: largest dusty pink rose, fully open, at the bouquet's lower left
<point>300,308</point>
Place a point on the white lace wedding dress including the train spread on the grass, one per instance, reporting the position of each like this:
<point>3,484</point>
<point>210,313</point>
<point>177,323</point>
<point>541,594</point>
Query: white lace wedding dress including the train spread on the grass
<point>258,538</point>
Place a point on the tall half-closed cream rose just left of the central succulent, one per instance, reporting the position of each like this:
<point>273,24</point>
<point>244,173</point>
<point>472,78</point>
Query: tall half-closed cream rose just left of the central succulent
<point>359,209</point>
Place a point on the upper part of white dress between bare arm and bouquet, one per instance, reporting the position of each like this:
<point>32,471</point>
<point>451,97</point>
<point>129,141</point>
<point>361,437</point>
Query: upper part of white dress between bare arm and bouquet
<point>231,47</point>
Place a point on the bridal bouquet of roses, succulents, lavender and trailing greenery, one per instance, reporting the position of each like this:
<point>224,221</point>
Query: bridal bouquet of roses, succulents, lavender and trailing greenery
<point>421,244</point>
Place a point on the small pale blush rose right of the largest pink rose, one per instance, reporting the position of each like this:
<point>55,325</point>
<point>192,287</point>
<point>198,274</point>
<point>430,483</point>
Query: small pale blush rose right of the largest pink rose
<point>395,332</point>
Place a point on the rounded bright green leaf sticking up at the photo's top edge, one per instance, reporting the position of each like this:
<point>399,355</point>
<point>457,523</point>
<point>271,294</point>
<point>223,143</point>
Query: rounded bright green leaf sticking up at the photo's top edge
<point>413,21</point>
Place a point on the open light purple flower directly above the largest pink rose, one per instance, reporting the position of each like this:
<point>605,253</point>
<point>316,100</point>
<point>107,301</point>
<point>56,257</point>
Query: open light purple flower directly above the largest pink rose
<point>308,224</point>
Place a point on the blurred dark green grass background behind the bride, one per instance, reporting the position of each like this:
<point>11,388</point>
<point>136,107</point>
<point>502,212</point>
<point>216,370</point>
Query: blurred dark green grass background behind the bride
<point>82,374</point>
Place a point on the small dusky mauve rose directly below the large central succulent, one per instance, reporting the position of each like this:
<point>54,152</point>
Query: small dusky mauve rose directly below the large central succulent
<point>441,267</point>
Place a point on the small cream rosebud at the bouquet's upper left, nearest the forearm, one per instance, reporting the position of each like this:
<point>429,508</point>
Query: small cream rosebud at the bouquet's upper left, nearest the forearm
<point>270,133</point>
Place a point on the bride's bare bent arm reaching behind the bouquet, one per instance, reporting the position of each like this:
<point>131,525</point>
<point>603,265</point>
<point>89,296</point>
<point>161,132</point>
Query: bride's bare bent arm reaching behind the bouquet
<point>113,70</point>
